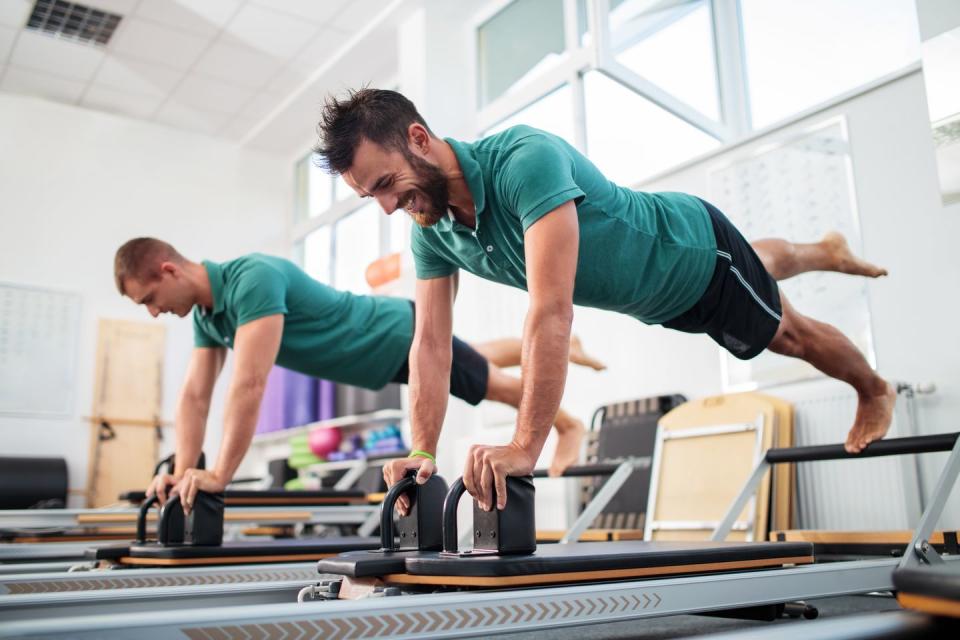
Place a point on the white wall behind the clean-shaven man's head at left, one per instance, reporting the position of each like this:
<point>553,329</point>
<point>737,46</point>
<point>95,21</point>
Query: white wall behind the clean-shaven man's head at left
<point>76,184</point>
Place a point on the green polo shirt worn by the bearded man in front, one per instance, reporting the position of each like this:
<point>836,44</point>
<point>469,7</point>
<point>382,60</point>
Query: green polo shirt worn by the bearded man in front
<point>648,255</point>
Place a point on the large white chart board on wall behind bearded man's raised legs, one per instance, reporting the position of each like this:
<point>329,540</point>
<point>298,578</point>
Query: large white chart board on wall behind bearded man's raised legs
<point>797,188</point>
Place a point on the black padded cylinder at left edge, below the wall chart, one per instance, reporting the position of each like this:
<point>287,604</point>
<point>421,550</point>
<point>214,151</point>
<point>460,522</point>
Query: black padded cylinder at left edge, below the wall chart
<point>29,482</point>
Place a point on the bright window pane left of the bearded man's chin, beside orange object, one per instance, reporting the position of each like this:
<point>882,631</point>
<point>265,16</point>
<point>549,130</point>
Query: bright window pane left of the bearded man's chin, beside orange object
<point>357,245</point>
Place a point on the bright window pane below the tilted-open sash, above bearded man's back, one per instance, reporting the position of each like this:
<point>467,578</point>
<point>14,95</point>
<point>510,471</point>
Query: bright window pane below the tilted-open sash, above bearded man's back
<point>630,138</point>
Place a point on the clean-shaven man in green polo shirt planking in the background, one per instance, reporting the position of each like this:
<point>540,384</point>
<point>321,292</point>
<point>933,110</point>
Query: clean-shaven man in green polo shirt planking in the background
<point>270,312</point>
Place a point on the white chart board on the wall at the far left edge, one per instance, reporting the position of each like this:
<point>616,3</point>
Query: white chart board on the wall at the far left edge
<point>39,331</point>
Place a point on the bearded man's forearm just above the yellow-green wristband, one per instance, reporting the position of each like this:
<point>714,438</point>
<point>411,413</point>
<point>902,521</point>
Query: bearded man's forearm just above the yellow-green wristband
<point>429,387</point>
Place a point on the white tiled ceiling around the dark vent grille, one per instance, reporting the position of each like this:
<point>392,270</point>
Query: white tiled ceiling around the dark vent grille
<point>218,67</point>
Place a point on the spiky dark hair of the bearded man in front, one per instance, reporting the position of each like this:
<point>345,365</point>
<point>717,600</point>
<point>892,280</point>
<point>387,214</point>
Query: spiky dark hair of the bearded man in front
<point>377,115</point>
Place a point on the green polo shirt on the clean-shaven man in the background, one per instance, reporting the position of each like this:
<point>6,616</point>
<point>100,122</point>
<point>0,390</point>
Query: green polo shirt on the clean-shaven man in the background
<point>336,335</point>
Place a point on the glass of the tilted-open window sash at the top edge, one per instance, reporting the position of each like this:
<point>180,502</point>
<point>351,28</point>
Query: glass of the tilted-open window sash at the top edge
<point>671,47</point>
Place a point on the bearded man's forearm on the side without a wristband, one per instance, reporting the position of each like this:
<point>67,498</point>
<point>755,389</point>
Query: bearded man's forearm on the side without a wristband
<point>546,347</point>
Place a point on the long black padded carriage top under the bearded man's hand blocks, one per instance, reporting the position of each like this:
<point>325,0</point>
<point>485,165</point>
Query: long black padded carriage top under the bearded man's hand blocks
<point>604,556</point>
